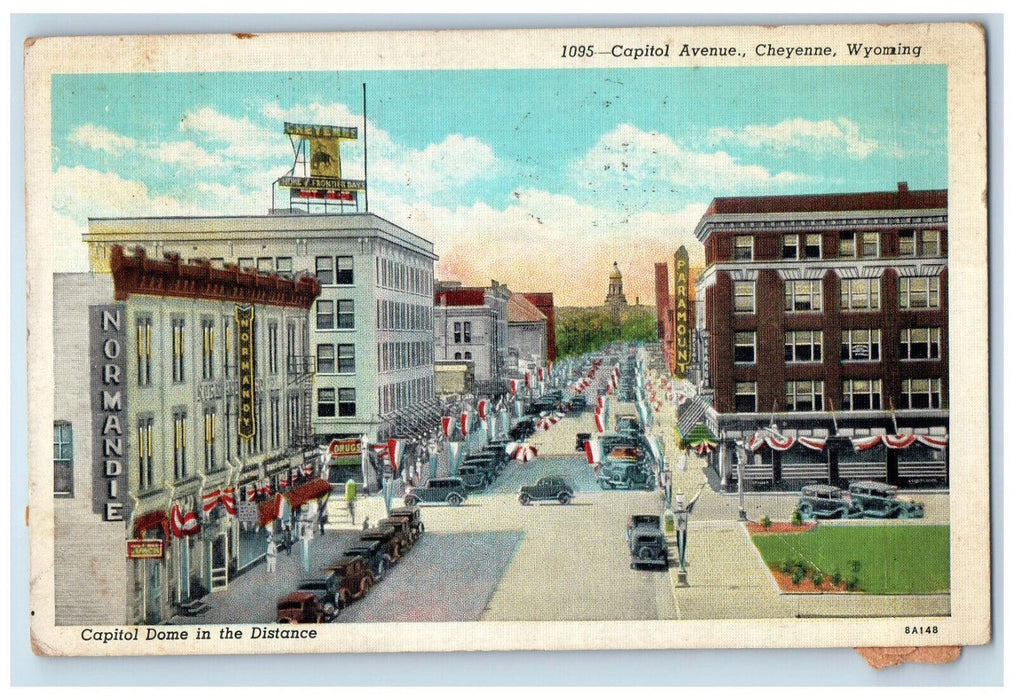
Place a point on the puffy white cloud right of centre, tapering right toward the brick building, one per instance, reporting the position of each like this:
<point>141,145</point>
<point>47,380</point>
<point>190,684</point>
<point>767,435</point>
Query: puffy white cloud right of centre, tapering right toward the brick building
<point>632,163</point>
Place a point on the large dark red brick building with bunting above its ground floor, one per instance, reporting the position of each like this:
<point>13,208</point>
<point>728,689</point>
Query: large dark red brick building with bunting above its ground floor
<point>824,337</point>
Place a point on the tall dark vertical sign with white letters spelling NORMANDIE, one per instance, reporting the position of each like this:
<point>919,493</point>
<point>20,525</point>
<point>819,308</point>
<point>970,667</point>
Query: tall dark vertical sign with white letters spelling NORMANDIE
<point>108,353</point>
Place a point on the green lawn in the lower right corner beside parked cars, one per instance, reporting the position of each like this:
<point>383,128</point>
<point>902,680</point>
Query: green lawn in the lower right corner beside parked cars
<point>893,559</point>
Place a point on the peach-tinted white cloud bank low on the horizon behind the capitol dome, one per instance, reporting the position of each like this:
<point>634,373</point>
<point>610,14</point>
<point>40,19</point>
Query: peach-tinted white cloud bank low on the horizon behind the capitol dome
<point>550,242</point>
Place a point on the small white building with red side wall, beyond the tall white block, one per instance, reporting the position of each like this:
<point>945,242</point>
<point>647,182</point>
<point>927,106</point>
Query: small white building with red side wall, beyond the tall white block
<point>471,324</point>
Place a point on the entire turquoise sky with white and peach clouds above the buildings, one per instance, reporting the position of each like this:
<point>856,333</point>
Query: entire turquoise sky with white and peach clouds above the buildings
<point>537,178</point>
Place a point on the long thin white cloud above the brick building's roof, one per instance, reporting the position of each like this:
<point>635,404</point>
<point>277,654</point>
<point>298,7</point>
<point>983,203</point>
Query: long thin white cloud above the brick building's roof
<point>826,136</point>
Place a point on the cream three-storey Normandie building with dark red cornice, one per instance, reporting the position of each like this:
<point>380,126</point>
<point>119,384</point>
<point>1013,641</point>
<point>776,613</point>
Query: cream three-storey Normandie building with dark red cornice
<point>179,395</point>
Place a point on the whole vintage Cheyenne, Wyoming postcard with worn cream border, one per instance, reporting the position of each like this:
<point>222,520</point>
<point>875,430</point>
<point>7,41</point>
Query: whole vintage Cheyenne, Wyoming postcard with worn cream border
<point>549,339</point>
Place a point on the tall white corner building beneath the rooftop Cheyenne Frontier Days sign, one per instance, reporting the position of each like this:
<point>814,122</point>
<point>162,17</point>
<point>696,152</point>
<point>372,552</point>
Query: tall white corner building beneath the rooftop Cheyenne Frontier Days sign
<point>371,330</point>
